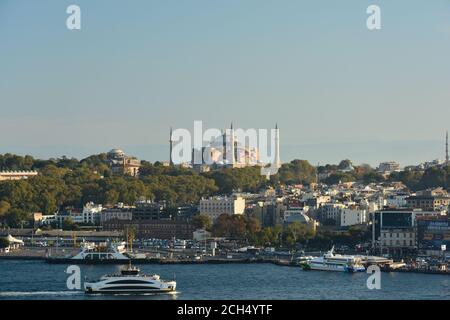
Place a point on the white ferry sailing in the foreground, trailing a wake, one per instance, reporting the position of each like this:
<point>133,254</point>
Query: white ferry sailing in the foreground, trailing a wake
<point>130,281</point>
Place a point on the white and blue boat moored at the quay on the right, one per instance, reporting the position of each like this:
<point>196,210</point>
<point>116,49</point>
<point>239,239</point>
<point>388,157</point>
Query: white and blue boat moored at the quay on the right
<point>335,262</point>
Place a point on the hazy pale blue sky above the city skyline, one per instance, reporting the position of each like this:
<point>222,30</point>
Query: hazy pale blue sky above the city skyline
<point>336,89</point>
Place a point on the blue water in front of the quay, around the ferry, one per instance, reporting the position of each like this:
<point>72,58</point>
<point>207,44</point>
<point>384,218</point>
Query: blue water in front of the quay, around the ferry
<point>38,280</point>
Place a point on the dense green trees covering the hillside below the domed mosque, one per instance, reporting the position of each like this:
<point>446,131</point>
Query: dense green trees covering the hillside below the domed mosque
<point>68,182</point>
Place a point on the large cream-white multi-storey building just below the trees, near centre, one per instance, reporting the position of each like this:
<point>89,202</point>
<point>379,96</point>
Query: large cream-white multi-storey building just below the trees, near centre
<point>215,206</point>
